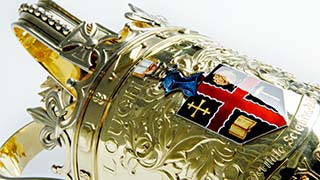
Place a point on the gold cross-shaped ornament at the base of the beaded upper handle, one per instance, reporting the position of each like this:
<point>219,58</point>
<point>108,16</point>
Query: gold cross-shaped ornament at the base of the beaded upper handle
<point>88,45</point>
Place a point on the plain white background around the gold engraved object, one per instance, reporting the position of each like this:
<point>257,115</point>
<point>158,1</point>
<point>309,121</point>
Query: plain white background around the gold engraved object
<point>283,33</point>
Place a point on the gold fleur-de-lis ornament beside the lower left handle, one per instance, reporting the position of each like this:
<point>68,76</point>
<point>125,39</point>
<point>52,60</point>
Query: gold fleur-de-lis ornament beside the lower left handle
<point>57,117</point>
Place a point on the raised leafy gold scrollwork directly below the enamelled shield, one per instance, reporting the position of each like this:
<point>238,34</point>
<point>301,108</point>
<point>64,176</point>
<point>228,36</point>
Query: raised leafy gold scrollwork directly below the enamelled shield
<point>157,140</point>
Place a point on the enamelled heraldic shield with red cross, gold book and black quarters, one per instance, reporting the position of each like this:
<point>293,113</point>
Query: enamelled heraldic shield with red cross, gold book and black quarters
<point>236,105</point>
